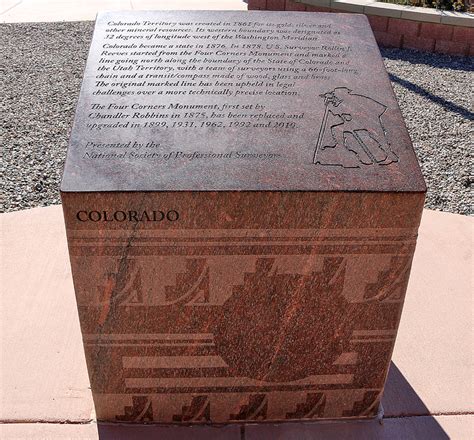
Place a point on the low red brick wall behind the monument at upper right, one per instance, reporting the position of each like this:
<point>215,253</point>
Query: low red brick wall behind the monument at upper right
<point>395,32</point>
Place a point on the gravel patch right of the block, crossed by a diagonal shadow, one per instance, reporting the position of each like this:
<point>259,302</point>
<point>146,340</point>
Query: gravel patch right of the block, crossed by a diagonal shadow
<point>435,95</point>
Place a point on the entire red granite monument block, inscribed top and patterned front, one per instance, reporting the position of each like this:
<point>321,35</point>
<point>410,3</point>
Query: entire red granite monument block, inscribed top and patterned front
<point>239,268</point>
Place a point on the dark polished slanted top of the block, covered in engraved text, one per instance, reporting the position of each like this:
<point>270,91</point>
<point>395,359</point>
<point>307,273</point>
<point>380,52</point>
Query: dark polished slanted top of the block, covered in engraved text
<point>219,100</point>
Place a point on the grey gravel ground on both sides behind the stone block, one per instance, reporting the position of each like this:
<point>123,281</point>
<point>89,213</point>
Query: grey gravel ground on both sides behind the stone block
<point>42,67</point>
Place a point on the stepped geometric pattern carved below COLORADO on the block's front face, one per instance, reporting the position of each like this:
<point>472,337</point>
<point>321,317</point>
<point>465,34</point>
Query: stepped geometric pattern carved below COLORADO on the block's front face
<point>204,330</point>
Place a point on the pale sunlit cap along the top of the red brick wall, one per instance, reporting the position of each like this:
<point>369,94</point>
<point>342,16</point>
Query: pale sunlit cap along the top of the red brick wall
<point>413,13</point>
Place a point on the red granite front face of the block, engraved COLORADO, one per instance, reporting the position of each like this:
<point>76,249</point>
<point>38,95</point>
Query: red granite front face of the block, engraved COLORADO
<point>239,306</point>
